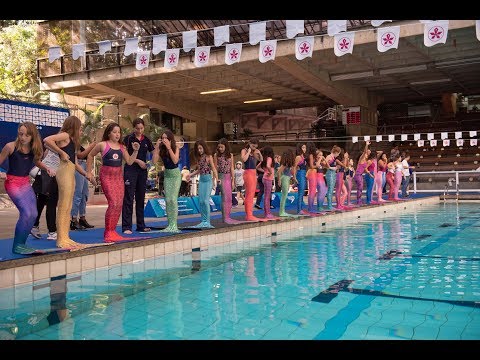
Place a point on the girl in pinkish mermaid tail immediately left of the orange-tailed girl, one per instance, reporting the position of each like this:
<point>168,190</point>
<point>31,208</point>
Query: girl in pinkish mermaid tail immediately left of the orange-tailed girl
<point>223,159</point>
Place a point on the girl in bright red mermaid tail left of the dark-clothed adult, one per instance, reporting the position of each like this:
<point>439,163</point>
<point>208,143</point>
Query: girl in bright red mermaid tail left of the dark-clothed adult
<point>111,176</point>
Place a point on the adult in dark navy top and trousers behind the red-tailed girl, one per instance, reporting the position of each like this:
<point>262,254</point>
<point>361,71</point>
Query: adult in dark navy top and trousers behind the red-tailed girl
<point>135,178</point>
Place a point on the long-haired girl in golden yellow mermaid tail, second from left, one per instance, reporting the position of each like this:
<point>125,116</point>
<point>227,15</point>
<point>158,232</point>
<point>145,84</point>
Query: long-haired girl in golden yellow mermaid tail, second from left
<point>66,144</point>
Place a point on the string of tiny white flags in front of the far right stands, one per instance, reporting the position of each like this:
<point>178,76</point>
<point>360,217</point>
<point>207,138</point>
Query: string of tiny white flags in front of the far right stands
<point>430,137</point>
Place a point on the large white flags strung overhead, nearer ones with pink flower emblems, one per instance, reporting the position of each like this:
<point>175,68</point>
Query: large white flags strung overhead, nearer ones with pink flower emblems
<point>435,32</point>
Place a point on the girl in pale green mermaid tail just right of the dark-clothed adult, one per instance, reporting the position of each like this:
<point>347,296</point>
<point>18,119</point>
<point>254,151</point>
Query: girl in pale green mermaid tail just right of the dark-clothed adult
<point>166,149</point>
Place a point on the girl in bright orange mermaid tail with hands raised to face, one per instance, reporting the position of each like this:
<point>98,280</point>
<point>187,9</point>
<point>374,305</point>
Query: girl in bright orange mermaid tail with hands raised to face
<point>250,155</point>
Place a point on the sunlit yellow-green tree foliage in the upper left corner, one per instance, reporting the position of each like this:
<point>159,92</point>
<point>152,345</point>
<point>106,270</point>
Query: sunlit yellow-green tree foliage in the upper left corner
<point>18,54</point>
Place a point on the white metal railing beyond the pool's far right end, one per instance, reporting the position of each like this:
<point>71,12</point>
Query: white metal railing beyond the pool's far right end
<point>442,181</point>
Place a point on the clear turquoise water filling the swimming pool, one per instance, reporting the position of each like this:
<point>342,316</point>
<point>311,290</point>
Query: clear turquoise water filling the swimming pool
<point>415,276</point>
